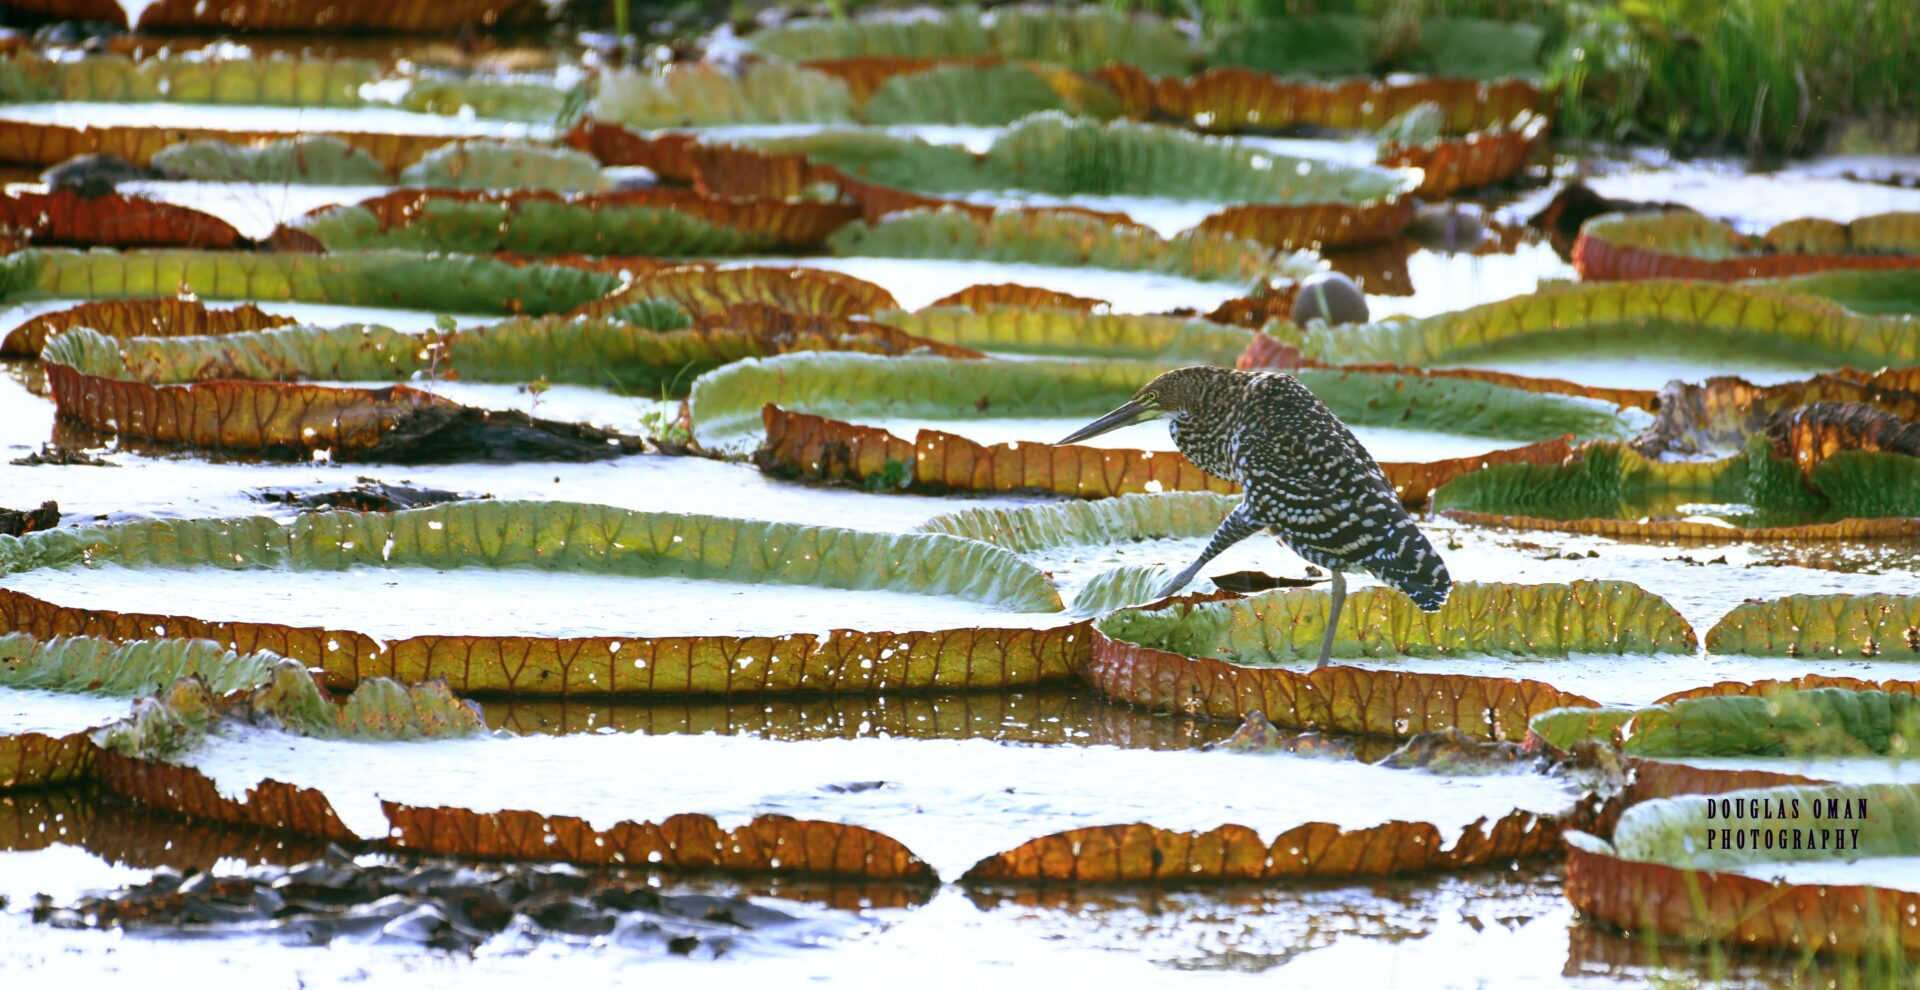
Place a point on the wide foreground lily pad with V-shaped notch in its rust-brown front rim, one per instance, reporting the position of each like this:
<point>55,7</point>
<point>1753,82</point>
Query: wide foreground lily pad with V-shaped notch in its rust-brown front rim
<point>1055,788</point>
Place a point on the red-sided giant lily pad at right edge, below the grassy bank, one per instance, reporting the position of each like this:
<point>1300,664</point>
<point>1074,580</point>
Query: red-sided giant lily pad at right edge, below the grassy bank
<point>1692,247</point>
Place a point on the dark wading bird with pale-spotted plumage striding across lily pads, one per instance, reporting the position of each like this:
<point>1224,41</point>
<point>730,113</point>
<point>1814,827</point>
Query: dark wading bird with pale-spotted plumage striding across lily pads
<point>1307,481</point>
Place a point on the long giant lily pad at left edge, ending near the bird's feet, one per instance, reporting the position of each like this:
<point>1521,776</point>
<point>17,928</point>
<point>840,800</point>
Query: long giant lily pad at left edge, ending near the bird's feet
<point>592,542</point>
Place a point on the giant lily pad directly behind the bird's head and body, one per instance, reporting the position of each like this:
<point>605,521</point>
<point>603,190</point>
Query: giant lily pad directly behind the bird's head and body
<point>790,402</point>
